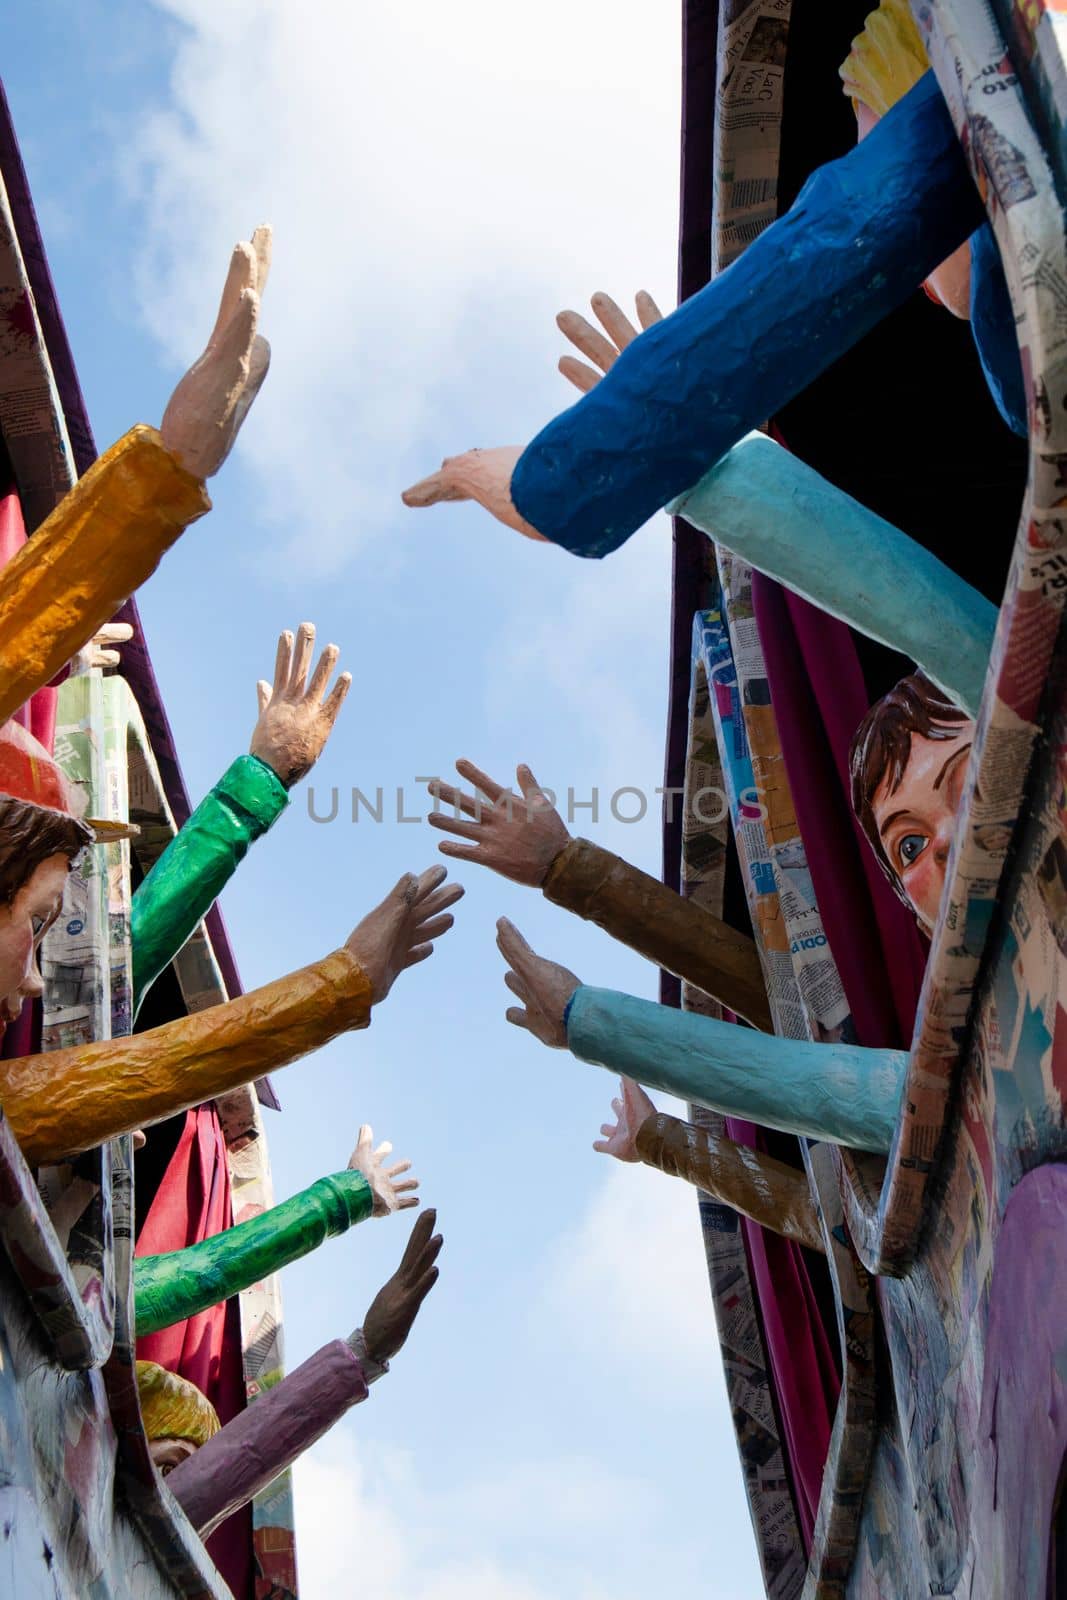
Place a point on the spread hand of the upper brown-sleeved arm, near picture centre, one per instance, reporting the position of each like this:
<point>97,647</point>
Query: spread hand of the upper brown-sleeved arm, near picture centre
<point>514,834</point>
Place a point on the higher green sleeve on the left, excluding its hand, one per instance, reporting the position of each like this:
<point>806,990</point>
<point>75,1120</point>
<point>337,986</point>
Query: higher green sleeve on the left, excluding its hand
<point>199,863</point>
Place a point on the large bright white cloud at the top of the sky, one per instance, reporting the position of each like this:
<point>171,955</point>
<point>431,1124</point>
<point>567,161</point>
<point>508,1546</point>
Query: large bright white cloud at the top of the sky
<point>441,180</point>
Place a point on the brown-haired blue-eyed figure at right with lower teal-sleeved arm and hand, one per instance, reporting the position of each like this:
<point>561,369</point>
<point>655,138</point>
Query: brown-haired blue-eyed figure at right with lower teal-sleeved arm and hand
<point>909,767</point>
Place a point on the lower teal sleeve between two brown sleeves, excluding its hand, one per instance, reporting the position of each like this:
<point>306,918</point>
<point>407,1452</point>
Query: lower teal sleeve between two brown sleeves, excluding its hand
<point>841,1094</point>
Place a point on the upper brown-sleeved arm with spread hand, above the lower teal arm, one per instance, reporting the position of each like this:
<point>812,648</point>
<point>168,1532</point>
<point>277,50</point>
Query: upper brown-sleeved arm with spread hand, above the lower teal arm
<point>524,838</point>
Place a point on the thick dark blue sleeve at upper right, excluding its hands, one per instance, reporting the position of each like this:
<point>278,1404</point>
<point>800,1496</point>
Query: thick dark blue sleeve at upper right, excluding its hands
<point>860,238</point>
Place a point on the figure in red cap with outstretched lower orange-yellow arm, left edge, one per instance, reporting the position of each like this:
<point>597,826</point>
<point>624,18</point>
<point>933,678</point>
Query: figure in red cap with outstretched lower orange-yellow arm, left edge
<point>73,1100</point>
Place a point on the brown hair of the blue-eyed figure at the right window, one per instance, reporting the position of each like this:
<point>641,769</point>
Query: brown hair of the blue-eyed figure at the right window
<point>882,746</point>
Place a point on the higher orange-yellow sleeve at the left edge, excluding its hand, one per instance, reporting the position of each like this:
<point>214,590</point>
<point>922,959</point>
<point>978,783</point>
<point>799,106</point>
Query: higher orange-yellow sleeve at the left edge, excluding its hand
<point>86,561</point>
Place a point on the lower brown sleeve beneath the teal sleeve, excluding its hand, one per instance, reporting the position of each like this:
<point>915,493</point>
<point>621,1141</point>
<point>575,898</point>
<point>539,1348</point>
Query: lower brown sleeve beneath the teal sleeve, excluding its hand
<point>770,1193</point>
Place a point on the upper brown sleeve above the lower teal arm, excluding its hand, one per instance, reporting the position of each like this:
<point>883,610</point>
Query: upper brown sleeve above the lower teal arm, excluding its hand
<point>661,926</point>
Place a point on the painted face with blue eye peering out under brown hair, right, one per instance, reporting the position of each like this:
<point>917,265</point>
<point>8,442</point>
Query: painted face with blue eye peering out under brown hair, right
<point>917,822</point>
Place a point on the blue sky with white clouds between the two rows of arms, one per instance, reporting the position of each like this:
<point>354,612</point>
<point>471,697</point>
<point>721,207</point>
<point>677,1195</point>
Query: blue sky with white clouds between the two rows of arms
<point>441,182</point>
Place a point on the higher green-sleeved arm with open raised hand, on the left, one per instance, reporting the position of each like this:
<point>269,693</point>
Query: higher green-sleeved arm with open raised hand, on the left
<point>290,735</point>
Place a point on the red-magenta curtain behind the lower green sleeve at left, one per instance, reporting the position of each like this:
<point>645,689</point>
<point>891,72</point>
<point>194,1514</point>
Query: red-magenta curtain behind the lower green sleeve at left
<point>193,1204</point>
